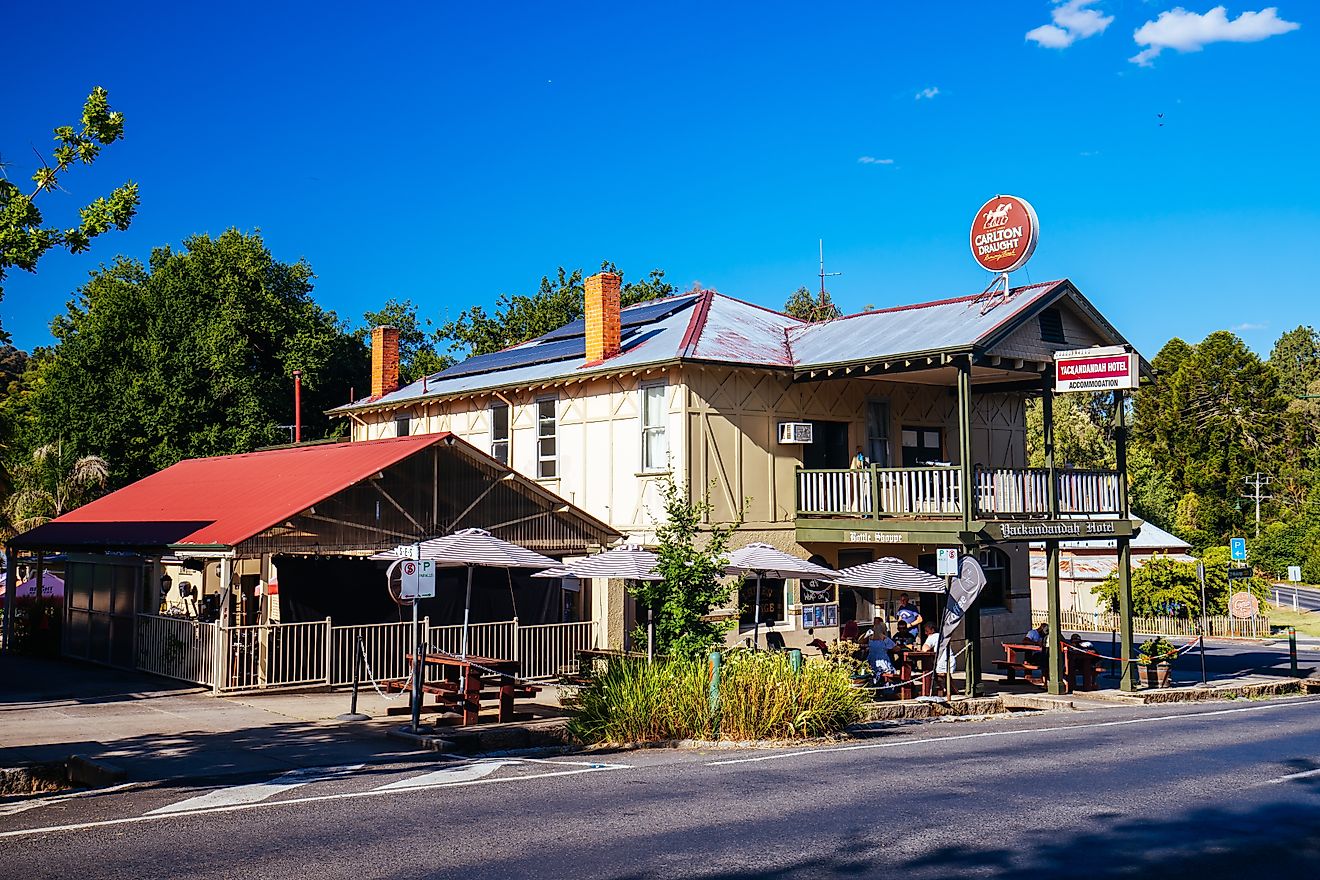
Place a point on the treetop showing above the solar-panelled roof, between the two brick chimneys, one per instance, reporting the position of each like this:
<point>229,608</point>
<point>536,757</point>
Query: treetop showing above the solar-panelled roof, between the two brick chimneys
<point>559,301</point>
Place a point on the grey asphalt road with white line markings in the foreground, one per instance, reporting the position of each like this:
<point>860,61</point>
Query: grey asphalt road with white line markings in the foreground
<point>1202,791</point>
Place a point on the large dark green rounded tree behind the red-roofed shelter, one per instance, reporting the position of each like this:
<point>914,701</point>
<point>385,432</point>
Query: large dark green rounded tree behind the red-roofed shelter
<point>192,356</point>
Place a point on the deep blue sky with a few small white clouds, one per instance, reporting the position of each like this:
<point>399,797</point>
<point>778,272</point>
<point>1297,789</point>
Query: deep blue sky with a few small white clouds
<point>452,152</point>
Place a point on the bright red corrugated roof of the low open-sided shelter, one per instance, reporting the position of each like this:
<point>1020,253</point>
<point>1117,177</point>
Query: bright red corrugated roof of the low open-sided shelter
<point>229,499</point>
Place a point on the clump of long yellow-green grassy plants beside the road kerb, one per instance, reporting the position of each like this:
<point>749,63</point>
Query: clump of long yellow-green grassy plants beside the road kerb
<point>761,697</point>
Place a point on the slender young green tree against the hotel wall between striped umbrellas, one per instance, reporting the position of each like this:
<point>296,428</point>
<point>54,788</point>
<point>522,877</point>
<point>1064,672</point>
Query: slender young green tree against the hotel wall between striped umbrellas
<point>692,561</point>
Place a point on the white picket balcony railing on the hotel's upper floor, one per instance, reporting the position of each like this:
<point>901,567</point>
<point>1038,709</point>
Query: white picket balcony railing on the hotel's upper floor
<point>935,493</point>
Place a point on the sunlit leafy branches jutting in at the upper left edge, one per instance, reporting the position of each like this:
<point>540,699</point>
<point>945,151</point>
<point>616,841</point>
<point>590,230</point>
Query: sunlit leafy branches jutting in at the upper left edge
<point>23,236</point>
